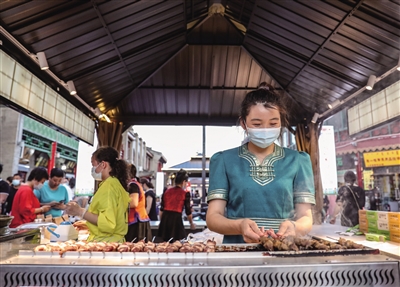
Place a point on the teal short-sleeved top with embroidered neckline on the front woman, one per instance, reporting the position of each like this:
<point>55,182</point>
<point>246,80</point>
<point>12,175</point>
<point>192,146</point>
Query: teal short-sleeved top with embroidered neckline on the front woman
<point>265,193</point>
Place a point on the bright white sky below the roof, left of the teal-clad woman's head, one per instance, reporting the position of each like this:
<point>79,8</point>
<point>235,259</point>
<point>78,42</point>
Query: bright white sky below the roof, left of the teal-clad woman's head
<point>179,143</point>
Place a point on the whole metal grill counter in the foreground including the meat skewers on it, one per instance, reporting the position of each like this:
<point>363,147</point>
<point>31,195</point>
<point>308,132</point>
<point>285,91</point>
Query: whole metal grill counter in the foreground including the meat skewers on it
<point>322,258</point>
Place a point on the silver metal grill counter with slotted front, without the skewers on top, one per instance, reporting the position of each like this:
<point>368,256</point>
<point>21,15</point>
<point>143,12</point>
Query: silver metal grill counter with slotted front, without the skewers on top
<point>238,265</point>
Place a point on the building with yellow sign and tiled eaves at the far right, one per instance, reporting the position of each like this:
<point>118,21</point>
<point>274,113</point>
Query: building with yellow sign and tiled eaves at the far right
<point>374,155</point>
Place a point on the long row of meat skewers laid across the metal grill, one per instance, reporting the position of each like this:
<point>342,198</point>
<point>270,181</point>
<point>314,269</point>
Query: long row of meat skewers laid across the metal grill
<point>274,247</point>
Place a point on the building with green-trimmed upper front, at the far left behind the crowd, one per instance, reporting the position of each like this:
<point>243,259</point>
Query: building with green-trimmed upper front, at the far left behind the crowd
<point>26,144</point>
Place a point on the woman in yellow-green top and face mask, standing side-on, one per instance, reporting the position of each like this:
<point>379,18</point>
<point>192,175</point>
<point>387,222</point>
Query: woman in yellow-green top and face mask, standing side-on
<point>107,216</point>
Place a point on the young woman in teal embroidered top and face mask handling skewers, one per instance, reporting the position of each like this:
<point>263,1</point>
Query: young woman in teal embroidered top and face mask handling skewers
<point>260,184</point>
